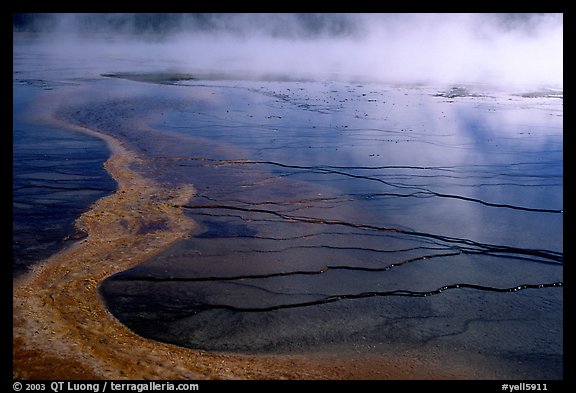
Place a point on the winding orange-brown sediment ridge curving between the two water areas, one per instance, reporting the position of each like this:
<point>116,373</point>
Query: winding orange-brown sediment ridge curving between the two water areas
<point>62,329</point>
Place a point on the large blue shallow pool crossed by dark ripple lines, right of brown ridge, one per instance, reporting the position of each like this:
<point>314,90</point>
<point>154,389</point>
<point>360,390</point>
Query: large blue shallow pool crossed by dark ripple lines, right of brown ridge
<point>346,217</point>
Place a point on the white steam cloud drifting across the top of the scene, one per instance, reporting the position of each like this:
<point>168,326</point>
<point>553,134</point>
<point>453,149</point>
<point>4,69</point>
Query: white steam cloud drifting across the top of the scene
<point>496,49</point>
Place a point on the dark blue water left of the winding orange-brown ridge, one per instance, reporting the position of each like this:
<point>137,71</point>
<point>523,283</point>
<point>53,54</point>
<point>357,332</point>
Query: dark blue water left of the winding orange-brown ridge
<point>56,175</point>
